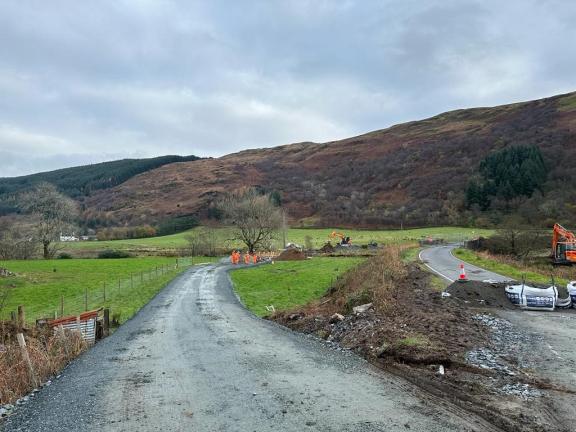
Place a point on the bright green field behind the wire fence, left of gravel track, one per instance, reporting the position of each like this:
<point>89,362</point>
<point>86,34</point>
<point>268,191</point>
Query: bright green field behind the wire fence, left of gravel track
<point>39,284</point>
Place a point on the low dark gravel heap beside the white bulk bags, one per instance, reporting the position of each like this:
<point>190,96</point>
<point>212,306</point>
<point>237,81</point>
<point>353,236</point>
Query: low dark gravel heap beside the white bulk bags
<point>481,294</point>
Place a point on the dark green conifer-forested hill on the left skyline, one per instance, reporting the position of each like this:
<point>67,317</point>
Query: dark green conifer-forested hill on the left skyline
<point>81,181</point>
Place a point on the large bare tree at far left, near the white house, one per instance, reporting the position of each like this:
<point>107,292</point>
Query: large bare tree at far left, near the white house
<point>53,213</point>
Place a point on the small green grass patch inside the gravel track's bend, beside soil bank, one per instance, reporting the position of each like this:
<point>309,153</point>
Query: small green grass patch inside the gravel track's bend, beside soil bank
<point>287,284</point>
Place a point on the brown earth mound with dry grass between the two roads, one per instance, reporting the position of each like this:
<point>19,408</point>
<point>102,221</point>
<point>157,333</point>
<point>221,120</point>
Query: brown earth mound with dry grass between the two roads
<point>410,323</point>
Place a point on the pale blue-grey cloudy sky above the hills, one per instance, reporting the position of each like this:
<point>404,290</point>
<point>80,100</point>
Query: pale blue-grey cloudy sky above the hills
<point>83,82</point>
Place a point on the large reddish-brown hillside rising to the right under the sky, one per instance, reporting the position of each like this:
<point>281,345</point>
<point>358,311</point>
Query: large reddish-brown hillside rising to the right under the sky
<point>412,174</point>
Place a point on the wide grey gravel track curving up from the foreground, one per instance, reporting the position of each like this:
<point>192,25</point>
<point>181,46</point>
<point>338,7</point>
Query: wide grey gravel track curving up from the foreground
<point>194,359</point>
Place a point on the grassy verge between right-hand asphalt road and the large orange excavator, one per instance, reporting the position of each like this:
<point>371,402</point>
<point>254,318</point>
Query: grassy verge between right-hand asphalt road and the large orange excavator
<point>514,269</point>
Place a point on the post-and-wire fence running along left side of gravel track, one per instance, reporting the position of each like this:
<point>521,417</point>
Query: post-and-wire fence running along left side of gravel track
<point>110,292</point>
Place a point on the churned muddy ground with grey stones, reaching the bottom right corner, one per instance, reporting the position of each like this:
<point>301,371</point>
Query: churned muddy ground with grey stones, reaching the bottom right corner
<point>453,347</point>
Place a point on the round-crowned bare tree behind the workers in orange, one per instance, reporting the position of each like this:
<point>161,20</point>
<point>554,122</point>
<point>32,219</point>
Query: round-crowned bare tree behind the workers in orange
<point>254,217</point>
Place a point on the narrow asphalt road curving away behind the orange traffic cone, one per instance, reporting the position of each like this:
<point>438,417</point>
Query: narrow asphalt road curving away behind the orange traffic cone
<point>440,260</point>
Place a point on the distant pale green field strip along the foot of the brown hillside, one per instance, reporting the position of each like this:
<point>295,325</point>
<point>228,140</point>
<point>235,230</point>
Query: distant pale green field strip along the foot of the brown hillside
<point>318,237</point>
